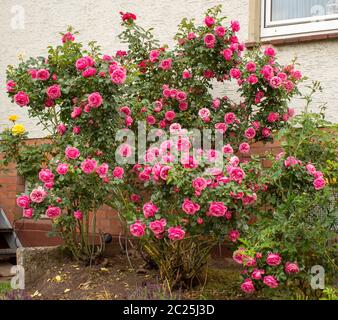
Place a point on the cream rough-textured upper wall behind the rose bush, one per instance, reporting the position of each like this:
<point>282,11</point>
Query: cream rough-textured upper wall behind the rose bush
<point>100,20</point>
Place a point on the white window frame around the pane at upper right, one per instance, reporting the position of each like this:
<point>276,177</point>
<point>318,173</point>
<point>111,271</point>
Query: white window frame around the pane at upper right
<point>294,27</point>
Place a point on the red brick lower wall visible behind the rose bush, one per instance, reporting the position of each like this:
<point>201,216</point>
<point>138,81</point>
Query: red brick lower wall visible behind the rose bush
<point>33,233</point>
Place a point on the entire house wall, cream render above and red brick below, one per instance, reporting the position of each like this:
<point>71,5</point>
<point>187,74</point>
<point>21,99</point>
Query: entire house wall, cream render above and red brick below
<point>29,26</point>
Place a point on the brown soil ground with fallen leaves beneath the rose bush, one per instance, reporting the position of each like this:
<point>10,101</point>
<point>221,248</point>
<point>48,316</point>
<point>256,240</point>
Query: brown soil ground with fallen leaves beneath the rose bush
<point>113,278</point>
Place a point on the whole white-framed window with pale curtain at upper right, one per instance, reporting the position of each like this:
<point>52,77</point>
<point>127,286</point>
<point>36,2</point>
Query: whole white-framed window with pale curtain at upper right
<point>295,17</point>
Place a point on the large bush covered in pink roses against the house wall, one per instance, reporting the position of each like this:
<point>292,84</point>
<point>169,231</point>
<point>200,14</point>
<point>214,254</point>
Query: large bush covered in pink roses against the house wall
<point>180,193</point>
